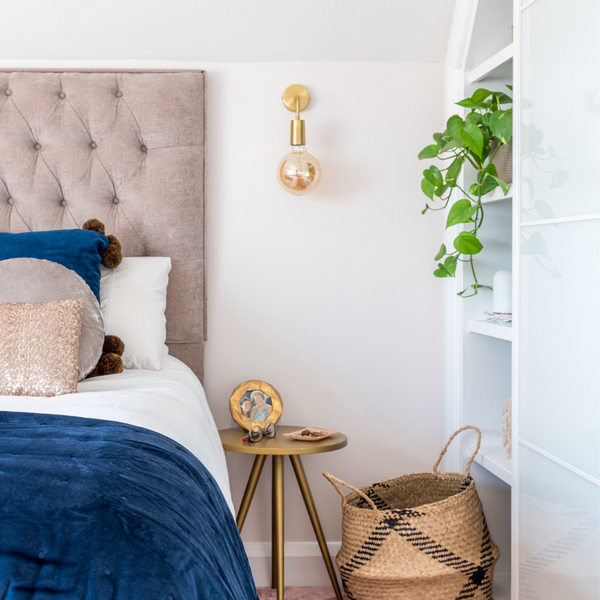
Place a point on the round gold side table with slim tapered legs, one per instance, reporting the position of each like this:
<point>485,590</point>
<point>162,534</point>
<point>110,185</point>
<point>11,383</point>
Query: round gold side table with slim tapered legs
<point>278,447</point>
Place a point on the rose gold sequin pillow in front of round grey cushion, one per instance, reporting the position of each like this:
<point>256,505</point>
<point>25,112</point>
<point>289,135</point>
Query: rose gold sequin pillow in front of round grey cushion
<point>39,347</point>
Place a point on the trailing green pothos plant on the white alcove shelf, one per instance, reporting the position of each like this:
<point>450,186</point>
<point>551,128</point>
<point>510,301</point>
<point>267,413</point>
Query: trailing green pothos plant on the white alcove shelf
<point>467,141</point>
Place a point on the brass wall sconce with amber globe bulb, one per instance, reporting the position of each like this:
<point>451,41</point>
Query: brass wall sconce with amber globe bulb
<point>298,172</point>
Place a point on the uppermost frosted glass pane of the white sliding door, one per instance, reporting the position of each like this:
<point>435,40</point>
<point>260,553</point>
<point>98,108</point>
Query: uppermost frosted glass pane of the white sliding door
<point>560,91</point>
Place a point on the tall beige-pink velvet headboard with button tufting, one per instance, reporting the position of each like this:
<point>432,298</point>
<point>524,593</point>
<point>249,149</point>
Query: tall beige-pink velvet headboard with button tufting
<point>125,147</point>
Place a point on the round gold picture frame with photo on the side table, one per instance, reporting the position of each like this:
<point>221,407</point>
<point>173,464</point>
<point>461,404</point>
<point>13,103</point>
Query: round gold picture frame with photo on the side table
<point>255,403</point>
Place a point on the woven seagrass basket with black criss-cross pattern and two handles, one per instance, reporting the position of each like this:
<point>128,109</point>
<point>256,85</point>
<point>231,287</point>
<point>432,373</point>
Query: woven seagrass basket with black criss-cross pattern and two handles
<point>417,537</point>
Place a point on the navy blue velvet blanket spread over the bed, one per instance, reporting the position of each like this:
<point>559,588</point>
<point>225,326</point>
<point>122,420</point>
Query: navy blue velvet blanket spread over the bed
<point>97,510</point>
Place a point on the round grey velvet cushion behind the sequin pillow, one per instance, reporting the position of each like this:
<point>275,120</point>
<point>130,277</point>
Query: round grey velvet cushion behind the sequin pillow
<point>37,280</point>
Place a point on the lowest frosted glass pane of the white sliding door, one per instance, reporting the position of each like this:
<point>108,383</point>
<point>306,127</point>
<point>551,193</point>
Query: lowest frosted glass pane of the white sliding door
<point>559,549</point>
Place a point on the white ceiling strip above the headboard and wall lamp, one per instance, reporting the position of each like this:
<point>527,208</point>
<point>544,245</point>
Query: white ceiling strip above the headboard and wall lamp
<point>228,30</point>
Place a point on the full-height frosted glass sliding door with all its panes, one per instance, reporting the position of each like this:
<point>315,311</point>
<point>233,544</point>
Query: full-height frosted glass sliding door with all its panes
<point>558,453</point>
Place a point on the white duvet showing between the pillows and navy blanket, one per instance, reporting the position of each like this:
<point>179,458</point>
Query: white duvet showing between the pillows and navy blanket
<point>170,401</point>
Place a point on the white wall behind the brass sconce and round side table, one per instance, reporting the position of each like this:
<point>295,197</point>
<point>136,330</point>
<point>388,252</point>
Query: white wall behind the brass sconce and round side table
<point>329,297</point>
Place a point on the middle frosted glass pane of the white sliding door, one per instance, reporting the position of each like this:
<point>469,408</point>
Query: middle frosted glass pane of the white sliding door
<point>560,341</point>
